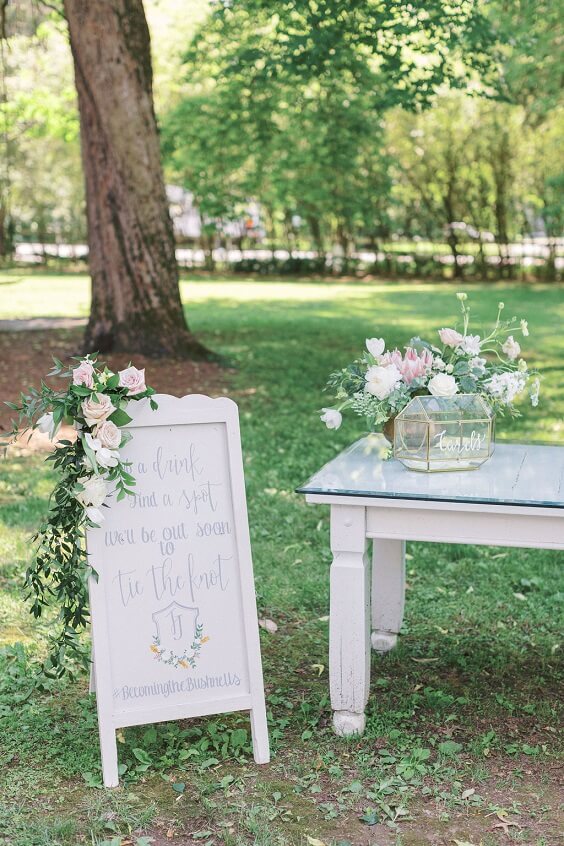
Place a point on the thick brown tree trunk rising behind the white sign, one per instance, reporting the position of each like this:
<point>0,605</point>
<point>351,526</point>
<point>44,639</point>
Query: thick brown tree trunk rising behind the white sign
<point>135,296</point>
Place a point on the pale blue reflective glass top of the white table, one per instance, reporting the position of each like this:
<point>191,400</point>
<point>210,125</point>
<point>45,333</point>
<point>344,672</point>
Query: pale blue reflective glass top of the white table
<point>516,474</point>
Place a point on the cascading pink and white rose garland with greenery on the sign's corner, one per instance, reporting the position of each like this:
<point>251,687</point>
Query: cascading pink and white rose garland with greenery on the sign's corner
<point>90,470</point>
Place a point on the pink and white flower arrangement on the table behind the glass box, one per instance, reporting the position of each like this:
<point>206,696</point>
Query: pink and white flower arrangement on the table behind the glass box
<point>382,382</point>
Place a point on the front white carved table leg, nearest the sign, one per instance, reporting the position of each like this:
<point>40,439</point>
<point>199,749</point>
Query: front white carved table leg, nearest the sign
<point>349,621</point>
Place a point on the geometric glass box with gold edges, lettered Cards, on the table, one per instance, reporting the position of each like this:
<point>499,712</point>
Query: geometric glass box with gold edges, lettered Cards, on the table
<point>433,434</point>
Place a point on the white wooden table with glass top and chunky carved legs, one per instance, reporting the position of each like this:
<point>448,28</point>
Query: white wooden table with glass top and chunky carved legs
<point>514,499</point>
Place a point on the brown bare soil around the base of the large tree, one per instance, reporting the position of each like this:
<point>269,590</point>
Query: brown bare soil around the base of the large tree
<point>26,357</point>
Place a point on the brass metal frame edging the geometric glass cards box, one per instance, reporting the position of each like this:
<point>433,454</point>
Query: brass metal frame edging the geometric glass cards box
<point>432,463</point>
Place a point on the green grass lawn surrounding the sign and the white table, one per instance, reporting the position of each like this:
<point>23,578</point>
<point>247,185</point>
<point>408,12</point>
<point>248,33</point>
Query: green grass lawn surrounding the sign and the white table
<point>461,743</point>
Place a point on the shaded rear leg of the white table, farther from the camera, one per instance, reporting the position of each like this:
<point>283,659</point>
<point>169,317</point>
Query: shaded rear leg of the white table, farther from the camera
<point>388,592</point>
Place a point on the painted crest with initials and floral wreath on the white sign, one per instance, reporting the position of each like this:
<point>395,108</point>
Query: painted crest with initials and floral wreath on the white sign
<point>179,636</point>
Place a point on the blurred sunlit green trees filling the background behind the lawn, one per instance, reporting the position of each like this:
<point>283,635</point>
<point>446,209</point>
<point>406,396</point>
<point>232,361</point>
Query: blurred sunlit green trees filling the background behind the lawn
<point>351,124</point>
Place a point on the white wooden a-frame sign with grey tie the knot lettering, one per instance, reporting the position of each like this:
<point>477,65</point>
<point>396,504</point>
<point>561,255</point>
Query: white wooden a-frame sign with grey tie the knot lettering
<point>174,621</point>
